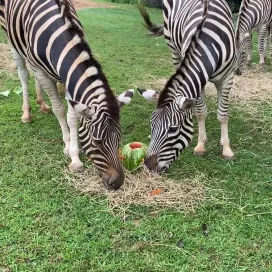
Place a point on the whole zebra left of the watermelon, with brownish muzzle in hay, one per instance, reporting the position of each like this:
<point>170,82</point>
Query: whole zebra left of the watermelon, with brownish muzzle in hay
<point>48,35</point>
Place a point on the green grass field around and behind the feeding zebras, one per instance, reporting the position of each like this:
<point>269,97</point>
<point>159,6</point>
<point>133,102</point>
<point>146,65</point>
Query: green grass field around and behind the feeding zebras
<point>46,225</point>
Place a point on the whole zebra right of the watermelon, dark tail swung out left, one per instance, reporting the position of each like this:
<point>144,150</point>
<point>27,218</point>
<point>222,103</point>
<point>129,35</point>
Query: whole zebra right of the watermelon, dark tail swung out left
<point>200,35</point>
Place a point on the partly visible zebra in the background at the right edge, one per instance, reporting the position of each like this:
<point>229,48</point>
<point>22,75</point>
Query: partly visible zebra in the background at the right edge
<point>253,15</point>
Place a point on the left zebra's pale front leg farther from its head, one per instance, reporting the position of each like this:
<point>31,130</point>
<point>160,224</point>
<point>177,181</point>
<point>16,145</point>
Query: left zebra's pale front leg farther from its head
<point>58,108</point>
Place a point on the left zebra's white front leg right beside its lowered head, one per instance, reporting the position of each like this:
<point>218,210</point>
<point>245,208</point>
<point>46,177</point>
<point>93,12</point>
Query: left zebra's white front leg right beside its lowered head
<point>72,120</point>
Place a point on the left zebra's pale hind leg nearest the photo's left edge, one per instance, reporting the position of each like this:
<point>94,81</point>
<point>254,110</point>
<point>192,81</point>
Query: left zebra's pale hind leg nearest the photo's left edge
<point>24,77</point>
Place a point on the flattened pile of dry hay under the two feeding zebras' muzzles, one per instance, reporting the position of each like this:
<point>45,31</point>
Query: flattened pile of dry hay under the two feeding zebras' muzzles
<point>144,188</point>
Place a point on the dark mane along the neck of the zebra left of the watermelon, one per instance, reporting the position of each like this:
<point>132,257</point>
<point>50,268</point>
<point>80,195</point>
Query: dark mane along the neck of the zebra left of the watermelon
<point>77,29</point>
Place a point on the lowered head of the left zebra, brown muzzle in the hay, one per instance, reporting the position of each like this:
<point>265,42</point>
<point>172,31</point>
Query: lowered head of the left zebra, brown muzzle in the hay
<point>99,135</point>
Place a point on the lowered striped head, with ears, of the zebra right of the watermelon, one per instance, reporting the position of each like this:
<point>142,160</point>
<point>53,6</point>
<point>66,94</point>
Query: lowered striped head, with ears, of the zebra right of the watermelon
<point>171,130</point>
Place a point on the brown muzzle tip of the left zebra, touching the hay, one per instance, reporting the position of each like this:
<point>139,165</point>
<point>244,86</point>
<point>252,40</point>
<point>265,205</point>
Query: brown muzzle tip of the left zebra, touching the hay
<point>113,179</point>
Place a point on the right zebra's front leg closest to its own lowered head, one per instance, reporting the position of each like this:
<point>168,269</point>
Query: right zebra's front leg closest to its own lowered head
<point>201,113</point>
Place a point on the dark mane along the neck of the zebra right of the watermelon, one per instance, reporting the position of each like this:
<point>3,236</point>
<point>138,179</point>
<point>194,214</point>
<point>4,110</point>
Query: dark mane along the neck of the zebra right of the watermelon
<point>164,94</point>
